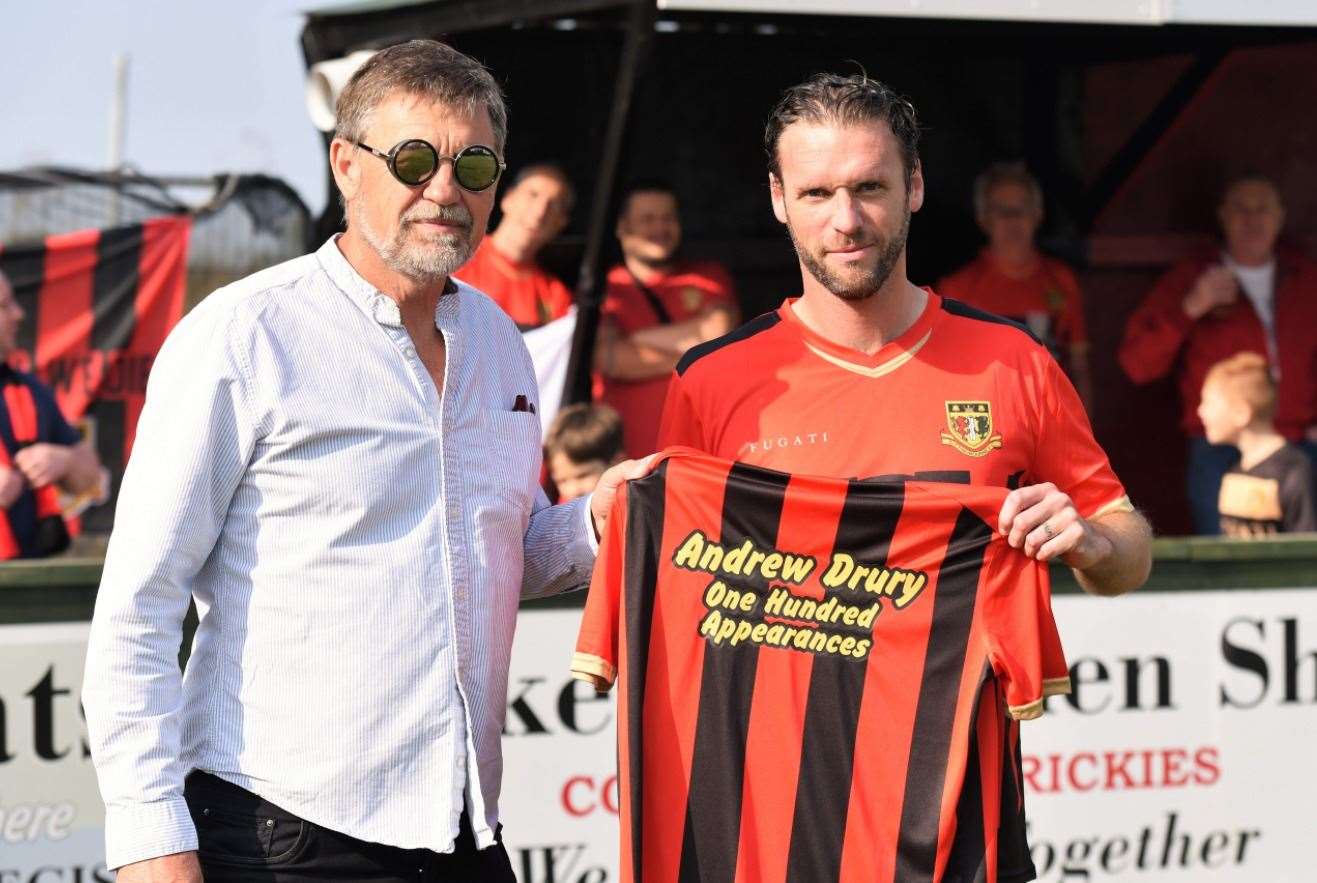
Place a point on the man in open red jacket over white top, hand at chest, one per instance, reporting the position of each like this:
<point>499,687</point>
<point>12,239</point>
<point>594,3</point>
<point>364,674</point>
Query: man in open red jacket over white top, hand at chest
<point>1248,297</point>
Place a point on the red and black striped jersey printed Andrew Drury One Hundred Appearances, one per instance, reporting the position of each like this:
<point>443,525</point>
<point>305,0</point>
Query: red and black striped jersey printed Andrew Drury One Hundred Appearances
<point>801,664</point>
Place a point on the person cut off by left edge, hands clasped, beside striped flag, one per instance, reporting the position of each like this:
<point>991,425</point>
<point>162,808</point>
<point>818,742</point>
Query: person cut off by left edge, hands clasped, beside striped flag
<point>40,454</point>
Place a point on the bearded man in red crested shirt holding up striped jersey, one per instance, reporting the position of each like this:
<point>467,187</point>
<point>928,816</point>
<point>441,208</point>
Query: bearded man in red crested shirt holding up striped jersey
<point>867,375</point>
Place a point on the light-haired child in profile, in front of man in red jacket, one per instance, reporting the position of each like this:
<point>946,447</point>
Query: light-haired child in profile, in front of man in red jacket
<point>1270,491</point>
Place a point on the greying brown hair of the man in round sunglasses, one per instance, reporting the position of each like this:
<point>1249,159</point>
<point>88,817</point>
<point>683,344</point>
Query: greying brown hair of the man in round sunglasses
<point>425,68</point>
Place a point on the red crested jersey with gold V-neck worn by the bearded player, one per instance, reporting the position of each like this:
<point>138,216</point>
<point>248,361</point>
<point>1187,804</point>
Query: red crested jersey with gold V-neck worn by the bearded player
<point>962,396</point>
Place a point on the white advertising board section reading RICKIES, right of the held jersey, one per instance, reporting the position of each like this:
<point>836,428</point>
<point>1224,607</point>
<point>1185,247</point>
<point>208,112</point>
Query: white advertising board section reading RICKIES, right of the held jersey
<point>1189,748</point>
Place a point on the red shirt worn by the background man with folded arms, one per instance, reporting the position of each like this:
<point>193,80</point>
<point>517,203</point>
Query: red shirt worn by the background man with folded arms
<point>684,293</point>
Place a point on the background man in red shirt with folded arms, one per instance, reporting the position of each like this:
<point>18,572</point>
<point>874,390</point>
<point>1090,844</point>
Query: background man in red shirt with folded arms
<point>657,308</point>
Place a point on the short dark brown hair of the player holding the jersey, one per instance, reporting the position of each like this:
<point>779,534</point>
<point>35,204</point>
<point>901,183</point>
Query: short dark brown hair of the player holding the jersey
<point>832,98</point>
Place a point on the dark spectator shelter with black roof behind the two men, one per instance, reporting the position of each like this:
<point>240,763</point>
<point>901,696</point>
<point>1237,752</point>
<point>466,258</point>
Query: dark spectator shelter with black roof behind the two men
<point>1131,113</point>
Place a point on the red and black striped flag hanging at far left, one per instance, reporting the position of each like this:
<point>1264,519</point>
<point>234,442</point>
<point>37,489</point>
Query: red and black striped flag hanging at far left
<point>99,305</point>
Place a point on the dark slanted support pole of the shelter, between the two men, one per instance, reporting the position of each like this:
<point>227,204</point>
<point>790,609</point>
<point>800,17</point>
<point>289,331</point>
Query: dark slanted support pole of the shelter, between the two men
<point>641,30</point>
